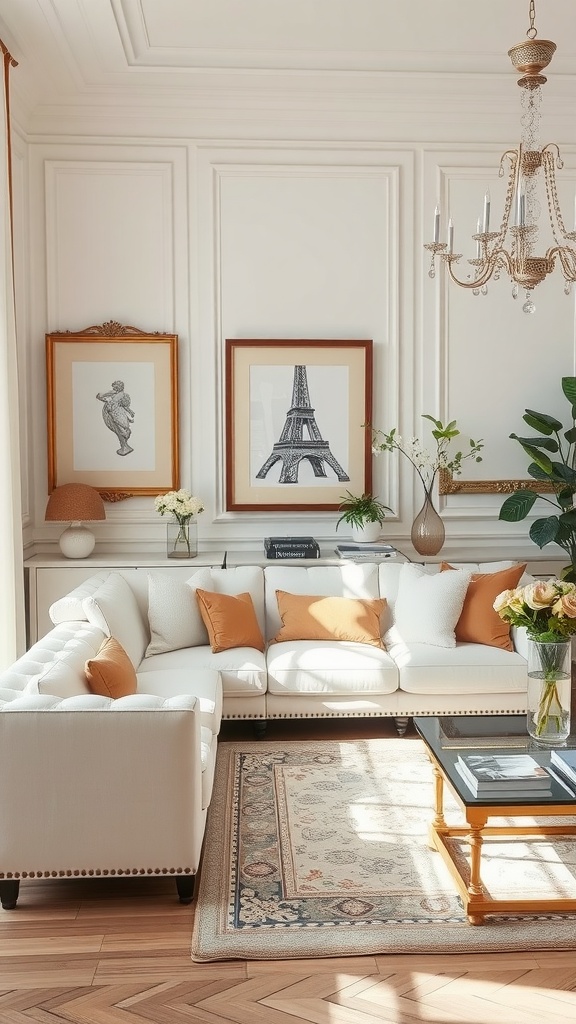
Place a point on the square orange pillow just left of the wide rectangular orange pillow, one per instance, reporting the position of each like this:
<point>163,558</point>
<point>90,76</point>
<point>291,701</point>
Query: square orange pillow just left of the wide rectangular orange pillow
<point>231,621</point>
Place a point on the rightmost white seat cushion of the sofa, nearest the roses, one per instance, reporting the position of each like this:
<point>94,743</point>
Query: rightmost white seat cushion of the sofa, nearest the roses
<point>468,668</point>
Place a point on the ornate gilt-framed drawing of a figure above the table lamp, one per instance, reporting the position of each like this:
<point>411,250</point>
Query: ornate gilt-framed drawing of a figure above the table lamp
<point>112,404</point>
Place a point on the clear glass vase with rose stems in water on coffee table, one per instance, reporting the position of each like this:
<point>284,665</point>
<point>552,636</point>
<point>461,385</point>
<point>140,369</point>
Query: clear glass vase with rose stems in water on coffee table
<point>550,688</point>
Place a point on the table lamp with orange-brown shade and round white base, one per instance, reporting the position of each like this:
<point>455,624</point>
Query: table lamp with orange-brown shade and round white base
<point>75,503</point>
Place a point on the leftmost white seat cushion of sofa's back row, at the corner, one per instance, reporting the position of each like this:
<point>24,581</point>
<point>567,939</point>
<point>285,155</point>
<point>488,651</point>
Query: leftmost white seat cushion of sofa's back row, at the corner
<point>243,670</point>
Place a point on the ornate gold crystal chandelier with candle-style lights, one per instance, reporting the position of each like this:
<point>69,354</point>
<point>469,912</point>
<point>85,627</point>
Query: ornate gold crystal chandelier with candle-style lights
<point>531,169</point>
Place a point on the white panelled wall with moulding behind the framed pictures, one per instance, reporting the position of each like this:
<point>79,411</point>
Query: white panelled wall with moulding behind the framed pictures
<point>279,240</point>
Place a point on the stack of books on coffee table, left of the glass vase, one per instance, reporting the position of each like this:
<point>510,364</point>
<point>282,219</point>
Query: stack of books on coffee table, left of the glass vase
<point>504,776</point>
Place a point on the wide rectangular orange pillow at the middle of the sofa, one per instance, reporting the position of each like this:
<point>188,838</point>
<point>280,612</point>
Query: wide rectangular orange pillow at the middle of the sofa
<point>316,618</point>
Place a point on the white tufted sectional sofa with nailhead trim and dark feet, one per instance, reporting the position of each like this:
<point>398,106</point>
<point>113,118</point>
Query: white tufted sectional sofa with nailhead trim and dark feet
<point>99,785</point>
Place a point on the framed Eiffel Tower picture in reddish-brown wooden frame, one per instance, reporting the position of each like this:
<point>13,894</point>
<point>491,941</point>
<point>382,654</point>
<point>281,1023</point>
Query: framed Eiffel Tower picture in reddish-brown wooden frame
<point>295,415</point>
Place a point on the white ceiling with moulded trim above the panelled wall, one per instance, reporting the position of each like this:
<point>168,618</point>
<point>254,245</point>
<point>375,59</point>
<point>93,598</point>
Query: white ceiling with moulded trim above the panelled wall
<point>85,53</point>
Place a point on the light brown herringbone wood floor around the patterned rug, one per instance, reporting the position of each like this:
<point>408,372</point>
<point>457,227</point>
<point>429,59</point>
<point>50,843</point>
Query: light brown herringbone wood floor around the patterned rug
<point>118,953</point>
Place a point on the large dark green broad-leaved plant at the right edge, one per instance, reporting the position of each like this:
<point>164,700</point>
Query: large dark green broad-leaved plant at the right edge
<point>553,455</point>
